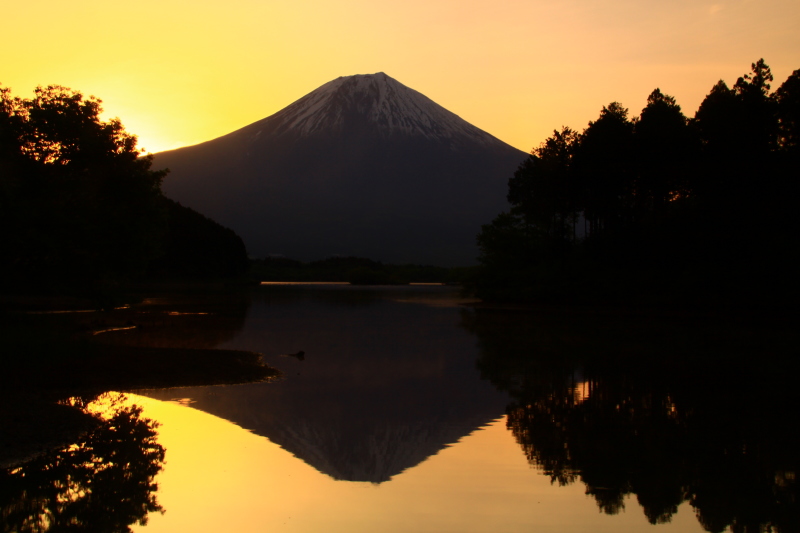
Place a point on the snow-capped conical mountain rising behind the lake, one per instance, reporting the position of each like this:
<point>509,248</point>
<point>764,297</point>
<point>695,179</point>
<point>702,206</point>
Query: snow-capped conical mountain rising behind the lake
<point>362,166</point>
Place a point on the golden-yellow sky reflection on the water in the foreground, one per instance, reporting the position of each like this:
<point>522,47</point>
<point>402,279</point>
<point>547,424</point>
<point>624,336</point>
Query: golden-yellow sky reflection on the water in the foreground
<point>220,477</point>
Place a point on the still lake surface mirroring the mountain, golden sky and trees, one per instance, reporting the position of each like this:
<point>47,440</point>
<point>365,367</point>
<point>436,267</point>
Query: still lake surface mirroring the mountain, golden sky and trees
<point>407,411</point>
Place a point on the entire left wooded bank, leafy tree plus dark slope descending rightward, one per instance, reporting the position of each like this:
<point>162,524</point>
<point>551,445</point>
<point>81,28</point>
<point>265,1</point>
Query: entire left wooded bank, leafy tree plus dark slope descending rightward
<point>80,205</point>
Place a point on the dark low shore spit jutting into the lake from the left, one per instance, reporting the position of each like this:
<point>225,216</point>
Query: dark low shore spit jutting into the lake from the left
<point>54,353</point>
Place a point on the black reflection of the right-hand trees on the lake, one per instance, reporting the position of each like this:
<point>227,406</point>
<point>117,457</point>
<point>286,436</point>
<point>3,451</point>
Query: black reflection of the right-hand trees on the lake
<point>665,411</point>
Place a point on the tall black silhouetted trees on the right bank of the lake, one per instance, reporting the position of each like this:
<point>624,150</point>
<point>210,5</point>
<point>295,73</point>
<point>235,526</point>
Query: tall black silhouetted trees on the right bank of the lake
<point>658,208</point>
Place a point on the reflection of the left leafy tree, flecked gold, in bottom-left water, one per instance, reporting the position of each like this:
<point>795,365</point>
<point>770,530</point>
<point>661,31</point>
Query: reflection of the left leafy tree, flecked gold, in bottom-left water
<point>103,483</point>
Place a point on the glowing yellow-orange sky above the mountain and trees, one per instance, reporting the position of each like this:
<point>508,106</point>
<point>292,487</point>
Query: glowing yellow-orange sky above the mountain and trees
<point>178,72</point>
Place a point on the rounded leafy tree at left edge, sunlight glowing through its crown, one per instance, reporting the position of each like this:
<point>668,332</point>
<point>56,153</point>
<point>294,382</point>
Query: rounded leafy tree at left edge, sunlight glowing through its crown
<point>78,197</point>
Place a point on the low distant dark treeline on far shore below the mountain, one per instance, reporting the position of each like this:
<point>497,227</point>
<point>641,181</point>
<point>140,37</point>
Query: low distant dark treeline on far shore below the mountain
<point>356,270</point>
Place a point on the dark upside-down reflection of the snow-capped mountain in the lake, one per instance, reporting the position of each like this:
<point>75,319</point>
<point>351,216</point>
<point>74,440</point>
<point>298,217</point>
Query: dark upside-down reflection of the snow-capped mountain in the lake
<point>383,384</point>
